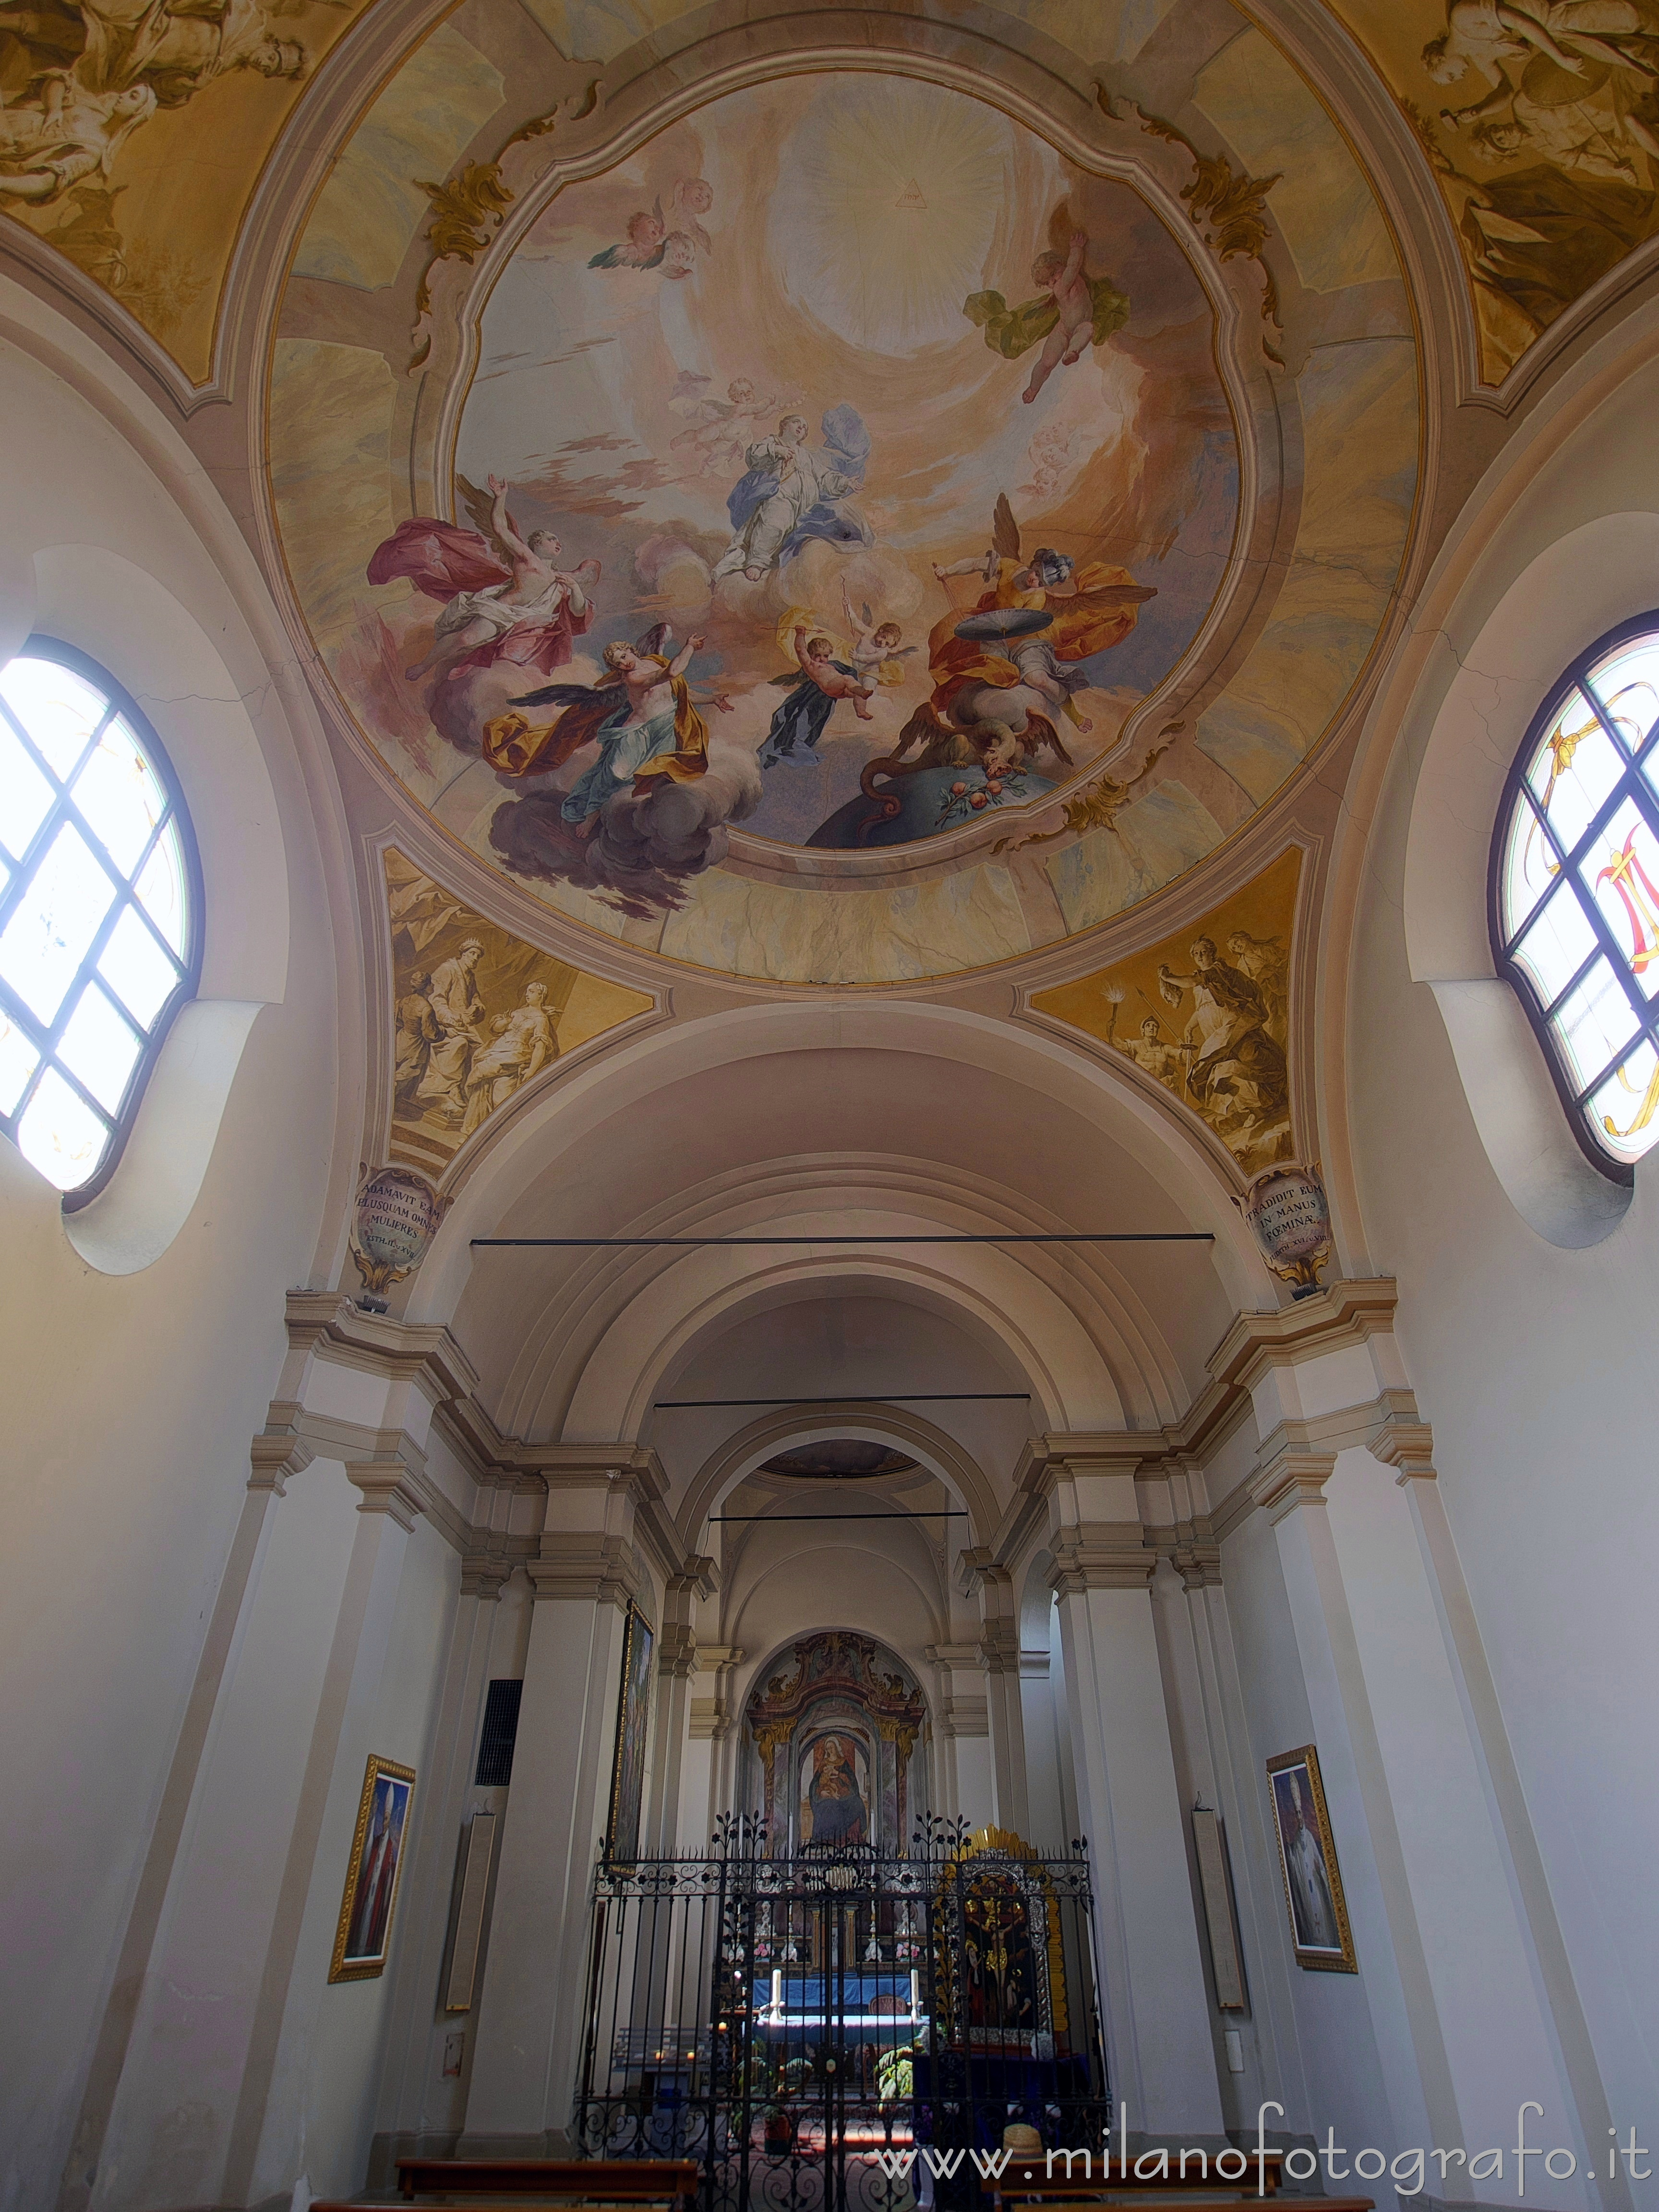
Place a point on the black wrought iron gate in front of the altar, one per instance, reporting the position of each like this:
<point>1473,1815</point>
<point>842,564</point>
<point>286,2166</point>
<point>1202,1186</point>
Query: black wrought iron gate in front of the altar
<point>842,2032</point>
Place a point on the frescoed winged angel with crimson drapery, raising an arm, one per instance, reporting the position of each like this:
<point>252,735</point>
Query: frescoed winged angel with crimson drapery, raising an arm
<point>505,605</point>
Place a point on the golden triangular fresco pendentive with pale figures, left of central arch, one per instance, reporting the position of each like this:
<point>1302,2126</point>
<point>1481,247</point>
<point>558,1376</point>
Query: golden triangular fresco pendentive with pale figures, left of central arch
<point>477,1016</point>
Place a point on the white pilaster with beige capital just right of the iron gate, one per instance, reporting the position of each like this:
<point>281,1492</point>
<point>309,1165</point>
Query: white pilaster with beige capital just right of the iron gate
<point>1156,2012</point>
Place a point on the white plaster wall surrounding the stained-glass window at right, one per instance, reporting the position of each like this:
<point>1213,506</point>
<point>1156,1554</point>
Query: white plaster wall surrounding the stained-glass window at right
<point>1534,1361</point>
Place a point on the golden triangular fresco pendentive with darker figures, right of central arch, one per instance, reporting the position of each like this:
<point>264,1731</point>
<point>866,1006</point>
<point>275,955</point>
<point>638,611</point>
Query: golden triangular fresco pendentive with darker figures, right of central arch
<point>1207,1014</point>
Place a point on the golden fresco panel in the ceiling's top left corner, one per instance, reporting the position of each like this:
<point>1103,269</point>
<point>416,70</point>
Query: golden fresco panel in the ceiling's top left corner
<point>134,134</point>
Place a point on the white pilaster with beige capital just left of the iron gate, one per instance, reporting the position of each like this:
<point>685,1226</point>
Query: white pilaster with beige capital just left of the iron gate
<point>530,2018</point>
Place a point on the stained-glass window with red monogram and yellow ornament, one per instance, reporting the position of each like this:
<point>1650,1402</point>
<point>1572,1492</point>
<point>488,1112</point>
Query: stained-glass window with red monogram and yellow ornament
<point>1576,893</point>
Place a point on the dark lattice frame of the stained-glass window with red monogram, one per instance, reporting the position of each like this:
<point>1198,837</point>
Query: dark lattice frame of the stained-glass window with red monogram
<point>1631,784</point>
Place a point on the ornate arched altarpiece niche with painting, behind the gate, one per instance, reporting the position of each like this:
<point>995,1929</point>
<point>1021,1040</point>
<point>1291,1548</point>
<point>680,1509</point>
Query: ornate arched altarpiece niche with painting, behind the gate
<point>835,1746</point>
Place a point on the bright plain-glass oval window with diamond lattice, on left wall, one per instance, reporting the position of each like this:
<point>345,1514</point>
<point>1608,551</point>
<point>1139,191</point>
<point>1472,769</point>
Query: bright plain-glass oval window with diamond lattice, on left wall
<point>101,912</point>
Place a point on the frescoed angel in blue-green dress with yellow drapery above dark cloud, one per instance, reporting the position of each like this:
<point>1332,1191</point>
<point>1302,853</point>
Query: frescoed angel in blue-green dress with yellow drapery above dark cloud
<point>640,713</point>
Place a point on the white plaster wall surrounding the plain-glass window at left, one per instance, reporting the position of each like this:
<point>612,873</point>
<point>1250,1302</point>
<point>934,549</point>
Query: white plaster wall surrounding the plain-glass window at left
<point>125,1448</point>
